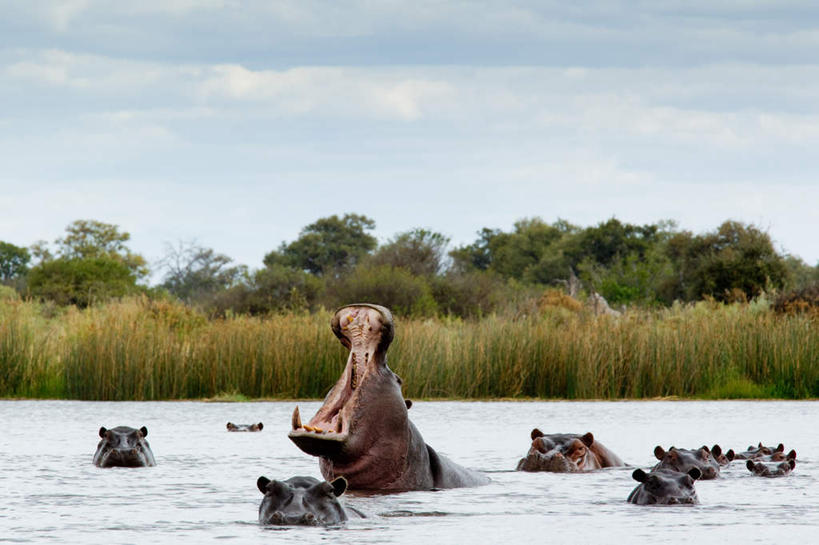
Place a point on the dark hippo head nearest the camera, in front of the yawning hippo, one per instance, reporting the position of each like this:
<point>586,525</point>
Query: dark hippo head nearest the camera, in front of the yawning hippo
<point>301,501</point>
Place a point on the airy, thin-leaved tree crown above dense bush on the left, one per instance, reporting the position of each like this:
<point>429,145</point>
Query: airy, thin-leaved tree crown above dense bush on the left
<point>95,239</point>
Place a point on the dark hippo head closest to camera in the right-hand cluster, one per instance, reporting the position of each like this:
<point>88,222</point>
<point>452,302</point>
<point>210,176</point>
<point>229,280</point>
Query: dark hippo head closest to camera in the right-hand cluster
<point>665,487</point>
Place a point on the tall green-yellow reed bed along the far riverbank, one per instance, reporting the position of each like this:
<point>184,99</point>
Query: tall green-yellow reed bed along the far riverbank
<point>138,349</point>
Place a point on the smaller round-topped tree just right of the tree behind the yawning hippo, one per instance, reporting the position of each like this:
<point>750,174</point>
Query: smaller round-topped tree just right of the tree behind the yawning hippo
<point>419,251</point>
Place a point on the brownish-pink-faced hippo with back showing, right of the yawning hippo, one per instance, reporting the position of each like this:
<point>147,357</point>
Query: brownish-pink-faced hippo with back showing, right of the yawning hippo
<point>567,453</point>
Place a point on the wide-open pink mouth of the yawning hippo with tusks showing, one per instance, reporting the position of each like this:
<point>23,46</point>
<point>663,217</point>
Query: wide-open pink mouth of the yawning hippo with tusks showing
<point>366,330</point>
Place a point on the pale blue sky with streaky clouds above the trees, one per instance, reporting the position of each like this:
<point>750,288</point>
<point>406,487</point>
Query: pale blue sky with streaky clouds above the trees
<point>234,124</point>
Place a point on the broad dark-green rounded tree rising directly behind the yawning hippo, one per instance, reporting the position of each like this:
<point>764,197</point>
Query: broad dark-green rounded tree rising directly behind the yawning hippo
<point>330,246</point>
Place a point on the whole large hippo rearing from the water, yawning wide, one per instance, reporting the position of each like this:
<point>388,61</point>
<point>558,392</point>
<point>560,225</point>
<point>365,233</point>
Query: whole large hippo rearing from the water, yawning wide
<point>362,431</point>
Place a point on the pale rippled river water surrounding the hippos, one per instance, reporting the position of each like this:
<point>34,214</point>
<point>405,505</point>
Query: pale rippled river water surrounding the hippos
<point>203,489</point>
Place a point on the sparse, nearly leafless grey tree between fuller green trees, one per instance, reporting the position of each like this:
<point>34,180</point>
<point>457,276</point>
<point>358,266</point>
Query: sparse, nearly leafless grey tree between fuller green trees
<point>195,274</point>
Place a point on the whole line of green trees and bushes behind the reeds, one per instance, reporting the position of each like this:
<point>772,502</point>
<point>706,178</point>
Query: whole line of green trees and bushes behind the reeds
<point>337,260</point>
